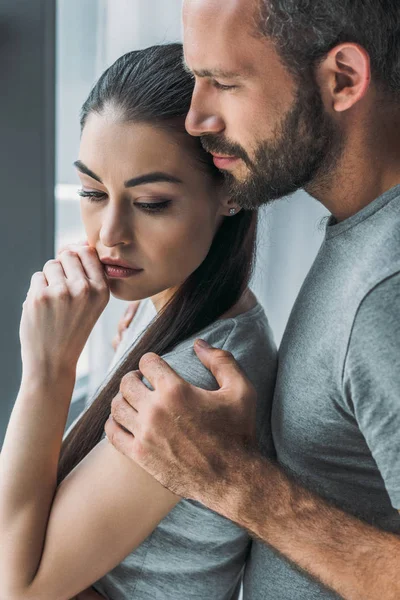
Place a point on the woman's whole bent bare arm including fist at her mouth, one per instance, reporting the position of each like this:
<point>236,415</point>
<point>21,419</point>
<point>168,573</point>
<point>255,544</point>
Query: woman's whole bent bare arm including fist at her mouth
<point>57,542</point>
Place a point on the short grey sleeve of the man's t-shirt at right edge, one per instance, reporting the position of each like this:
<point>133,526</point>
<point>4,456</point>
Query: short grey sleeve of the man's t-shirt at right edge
<point>372,379</point>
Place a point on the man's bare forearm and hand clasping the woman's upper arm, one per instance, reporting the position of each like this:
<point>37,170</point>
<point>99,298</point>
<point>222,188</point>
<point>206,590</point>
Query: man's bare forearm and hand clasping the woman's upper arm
<point>204,455</point>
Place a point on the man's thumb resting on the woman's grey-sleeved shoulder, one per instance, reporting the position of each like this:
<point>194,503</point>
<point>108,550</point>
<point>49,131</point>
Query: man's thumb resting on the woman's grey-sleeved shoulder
<point>222,365</point>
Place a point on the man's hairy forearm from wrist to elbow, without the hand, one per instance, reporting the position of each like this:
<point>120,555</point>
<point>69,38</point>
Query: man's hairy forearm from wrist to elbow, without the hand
<point>356,560</point>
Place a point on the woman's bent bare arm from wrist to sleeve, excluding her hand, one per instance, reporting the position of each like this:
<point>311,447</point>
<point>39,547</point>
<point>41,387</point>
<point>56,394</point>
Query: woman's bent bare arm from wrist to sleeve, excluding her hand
<point>56,543</point>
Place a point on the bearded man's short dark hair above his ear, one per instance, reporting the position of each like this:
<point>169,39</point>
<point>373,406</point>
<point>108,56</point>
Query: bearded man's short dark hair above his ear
<point>306,30</point>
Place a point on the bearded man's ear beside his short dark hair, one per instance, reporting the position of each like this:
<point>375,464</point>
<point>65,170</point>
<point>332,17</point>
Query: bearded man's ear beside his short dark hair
<point>344,76</point>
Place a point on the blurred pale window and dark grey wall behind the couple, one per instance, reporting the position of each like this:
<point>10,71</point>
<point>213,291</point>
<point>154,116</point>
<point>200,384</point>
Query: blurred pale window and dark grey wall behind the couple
<point>51,53</point>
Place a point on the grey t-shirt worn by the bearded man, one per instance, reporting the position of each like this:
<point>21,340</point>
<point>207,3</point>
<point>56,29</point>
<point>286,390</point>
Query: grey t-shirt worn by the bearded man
<point>336,409</point>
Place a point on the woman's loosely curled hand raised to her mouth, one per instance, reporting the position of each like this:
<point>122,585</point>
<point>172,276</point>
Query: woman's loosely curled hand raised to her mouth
<point>63,303</point>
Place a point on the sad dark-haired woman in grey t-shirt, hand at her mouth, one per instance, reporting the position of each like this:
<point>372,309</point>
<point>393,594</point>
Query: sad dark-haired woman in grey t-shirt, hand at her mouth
<point>159,224</point>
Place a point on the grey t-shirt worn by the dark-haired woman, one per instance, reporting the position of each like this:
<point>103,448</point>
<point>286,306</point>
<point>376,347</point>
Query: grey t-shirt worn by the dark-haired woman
<point>194,552</point>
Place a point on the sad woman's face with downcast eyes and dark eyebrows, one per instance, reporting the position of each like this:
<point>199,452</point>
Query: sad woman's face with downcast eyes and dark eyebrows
<point>145,202</point>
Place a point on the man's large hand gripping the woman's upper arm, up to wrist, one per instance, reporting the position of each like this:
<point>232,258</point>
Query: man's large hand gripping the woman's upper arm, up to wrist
<point>182,435</point>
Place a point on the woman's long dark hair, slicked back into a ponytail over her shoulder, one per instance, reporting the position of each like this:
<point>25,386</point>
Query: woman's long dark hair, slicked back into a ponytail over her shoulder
<point>152,86</point>
